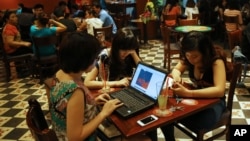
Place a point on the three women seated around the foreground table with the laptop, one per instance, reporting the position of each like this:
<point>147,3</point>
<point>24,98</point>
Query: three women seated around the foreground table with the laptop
<point>73,107</point>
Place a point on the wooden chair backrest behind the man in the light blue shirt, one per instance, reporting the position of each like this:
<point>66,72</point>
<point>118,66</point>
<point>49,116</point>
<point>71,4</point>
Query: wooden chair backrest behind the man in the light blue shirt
<point>106,30</point>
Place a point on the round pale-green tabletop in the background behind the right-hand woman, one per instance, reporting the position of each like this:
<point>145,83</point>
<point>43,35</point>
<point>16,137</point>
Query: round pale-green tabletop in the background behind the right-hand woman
<point>188,28</point>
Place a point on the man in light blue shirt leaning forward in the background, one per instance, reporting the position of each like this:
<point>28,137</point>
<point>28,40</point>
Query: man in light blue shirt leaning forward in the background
<point>104,16</point>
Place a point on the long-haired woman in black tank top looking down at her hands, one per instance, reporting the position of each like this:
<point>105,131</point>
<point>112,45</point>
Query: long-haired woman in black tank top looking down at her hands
<point>207,75</point>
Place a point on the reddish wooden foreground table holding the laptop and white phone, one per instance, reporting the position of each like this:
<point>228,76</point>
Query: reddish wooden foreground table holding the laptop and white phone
<point>129,127</point>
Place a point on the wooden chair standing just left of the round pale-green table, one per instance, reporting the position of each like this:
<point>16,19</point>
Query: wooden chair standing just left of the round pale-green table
<point>170,49</point>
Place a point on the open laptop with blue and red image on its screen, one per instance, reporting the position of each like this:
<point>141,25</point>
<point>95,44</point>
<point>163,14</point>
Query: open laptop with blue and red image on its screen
<point>141,94</point>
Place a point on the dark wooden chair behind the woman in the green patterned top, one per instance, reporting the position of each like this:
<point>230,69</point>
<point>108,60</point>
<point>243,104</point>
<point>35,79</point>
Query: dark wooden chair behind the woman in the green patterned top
<point>37,123</point>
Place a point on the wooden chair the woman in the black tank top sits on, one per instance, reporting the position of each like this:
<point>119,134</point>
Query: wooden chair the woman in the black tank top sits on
<point>226,117</point>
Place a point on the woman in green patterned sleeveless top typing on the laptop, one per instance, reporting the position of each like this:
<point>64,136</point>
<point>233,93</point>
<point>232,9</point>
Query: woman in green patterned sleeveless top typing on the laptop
<point>73,110</point>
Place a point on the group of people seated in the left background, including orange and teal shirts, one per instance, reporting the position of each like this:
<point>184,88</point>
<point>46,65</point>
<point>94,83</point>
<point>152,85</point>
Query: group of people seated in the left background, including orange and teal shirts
<point>40,24</point>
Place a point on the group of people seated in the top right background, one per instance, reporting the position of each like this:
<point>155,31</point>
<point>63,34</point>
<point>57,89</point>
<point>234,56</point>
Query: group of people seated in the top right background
<point>211,13</point>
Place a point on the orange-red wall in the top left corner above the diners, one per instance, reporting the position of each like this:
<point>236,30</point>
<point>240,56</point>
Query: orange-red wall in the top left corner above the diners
<point>49,5</point>
